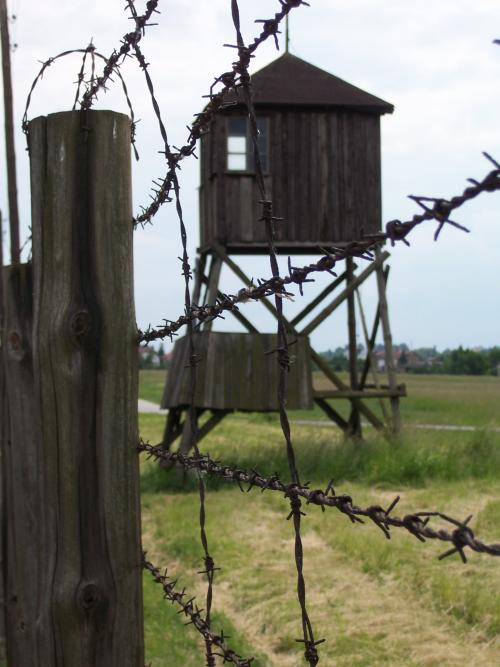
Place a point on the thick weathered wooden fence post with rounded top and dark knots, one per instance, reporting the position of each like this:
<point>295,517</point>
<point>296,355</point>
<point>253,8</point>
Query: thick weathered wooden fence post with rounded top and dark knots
<point>85,368</point>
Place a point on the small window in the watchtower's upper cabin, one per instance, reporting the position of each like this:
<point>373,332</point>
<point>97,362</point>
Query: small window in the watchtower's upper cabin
<point>240,155</point>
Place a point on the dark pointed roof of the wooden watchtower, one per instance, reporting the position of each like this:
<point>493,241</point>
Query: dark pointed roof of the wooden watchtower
<point>289,80</point>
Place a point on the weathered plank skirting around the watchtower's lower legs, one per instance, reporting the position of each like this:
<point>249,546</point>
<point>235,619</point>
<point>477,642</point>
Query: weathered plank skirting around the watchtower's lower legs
<point>236,373</point>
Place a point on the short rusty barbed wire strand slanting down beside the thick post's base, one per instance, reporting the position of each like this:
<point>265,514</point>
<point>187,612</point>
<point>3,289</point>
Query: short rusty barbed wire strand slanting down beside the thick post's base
<point>191,611</point>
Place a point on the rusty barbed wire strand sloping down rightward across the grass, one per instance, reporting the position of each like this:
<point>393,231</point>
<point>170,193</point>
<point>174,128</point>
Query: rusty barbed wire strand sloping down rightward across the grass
<point>416,523</point>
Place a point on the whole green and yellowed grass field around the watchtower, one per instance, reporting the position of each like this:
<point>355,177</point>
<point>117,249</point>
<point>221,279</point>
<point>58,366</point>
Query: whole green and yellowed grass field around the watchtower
<point>377,602</point>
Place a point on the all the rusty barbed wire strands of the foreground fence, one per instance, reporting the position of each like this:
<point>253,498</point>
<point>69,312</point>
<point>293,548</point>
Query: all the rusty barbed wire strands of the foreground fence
<point>459,536</point>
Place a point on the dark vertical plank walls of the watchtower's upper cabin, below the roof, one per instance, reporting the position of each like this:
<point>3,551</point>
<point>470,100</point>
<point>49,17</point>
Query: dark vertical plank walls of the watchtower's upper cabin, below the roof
<point>324,179</point>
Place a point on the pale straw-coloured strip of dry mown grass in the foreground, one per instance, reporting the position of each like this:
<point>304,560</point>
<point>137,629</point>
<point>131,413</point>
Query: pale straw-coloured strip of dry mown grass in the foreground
<point>368,620</point>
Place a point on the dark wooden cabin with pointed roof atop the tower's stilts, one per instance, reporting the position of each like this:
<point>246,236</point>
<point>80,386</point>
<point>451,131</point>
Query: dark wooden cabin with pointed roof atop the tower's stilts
<point>320,144</point>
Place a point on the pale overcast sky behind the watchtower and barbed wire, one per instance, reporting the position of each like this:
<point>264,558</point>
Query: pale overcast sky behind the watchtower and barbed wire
<point>435,62</point>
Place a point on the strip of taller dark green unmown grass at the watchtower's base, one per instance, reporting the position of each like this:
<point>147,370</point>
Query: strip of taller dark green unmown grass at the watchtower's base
<point>411,459</point>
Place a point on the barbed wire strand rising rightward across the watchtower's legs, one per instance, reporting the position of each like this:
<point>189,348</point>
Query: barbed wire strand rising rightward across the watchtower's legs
<point>395,231</point>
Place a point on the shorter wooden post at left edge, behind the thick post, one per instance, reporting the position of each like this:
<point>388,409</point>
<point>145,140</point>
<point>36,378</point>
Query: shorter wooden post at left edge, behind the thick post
<point>21,493</point>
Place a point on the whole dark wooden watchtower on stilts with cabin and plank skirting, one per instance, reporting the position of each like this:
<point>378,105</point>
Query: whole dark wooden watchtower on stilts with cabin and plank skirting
<point>320,150</point>
